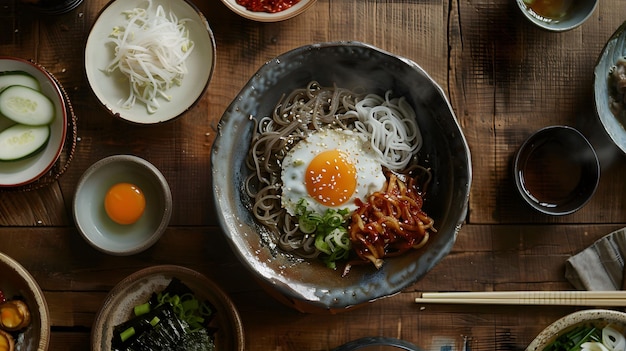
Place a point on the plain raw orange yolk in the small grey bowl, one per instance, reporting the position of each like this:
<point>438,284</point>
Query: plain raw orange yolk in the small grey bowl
<point>124,203</point>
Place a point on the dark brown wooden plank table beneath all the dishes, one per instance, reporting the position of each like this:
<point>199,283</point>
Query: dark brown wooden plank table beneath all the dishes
<point>504,78</point>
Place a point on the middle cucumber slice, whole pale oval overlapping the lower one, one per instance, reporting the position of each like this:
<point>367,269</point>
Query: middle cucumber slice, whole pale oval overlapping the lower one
<point>26,106</point>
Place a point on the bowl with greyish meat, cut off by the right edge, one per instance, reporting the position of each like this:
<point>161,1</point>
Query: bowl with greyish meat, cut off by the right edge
<point>609,87</point>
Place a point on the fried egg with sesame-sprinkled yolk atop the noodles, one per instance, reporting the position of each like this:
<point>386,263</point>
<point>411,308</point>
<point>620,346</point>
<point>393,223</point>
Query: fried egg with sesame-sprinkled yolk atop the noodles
<point>330,169</point>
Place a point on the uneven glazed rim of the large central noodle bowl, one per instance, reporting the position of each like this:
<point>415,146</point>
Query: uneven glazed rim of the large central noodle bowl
<point>333,301</point>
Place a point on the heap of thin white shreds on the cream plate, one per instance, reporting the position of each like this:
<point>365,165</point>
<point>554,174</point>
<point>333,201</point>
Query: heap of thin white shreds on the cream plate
<point>151,51</point>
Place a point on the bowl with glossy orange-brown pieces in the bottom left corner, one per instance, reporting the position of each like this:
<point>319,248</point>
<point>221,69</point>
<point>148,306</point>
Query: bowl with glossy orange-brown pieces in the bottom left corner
<point>24,316</point>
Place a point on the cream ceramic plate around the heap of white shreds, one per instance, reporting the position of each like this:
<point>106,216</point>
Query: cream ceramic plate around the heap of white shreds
<point>110,89</point>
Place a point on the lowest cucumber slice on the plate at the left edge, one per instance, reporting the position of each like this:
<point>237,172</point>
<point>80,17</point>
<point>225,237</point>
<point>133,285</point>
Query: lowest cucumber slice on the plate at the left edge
<point>21,140</point>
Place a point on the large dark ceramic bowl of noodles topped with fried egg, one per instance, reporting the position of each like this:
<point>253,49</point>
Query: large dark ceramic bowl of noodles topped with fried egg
<point>349,177</point>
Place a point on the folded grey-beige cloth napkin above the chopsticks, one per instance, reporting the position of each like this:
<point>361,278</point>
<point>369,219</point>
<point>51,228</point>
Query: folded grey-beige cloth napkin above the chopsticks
<point>601,265</point>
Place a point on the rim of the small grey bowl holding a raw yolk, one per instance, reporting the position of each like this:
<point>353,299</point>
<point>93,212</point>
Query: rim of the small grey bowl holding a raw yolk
<point>162,185</point>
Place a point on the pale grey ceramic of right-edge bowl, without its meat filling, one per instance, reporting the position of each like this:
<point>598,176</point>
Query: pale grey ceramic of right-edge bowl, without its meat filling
<point>614,49</point>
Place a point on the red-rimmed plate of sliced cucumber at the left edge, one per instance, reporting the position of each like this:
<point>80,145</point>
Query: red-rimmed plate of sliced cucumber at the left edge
<point>33,121</point>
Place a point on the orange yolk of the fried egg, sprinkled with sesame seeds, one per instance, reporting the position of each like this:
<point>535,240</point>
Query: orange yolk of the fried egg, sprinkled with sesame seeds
<point>330,178</point>
